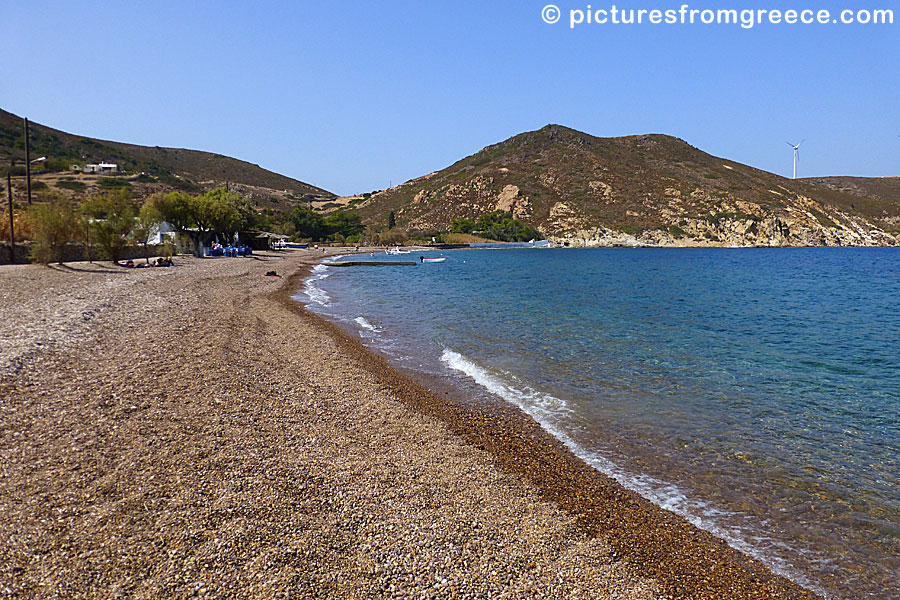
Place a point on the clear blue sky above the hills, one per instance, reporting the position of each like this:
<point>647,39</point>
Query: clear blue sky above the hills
<point>352,95</point>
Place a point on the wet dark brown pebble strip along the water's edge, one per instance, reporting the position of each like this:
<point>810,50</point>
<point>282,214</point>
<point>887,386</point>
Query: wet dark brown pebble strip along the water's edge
<point>658,543</point>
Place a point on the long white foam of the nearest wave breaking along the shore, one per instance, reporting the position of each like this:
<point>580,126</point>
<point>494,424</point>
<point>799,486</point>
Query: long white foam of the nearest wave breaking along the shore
<point>551,412</point>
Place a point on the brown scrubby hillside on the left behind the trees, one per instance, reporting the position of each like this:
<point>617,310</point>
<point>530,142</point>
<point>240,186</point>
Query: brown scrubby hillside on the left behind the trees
<point>163,167</point>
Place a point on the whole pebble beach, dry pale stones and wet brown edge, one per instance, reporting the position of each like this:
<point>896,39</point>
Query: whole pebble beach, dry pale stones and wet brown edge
<point>194,432</point>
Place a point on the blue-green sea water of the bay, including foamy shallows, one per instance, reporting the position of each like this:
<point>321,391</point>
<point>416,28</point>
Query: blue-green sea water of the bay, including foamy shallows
<point>754,391</point>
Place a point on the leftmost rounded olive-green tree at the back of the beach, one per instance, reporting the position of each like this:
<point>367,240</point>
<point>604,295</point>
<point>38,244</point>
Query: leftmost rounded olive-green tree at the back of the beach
<point>54,223</point>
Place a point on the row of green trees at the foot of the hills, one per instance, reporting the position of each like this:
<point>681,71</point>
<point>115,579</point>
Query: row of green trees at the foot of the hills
<point>110,221</point>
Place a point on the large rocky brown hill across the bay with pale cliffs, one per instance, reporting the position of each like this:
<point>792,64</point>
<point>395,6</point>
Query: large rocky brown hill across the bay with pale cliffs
<point>648,189</point>
